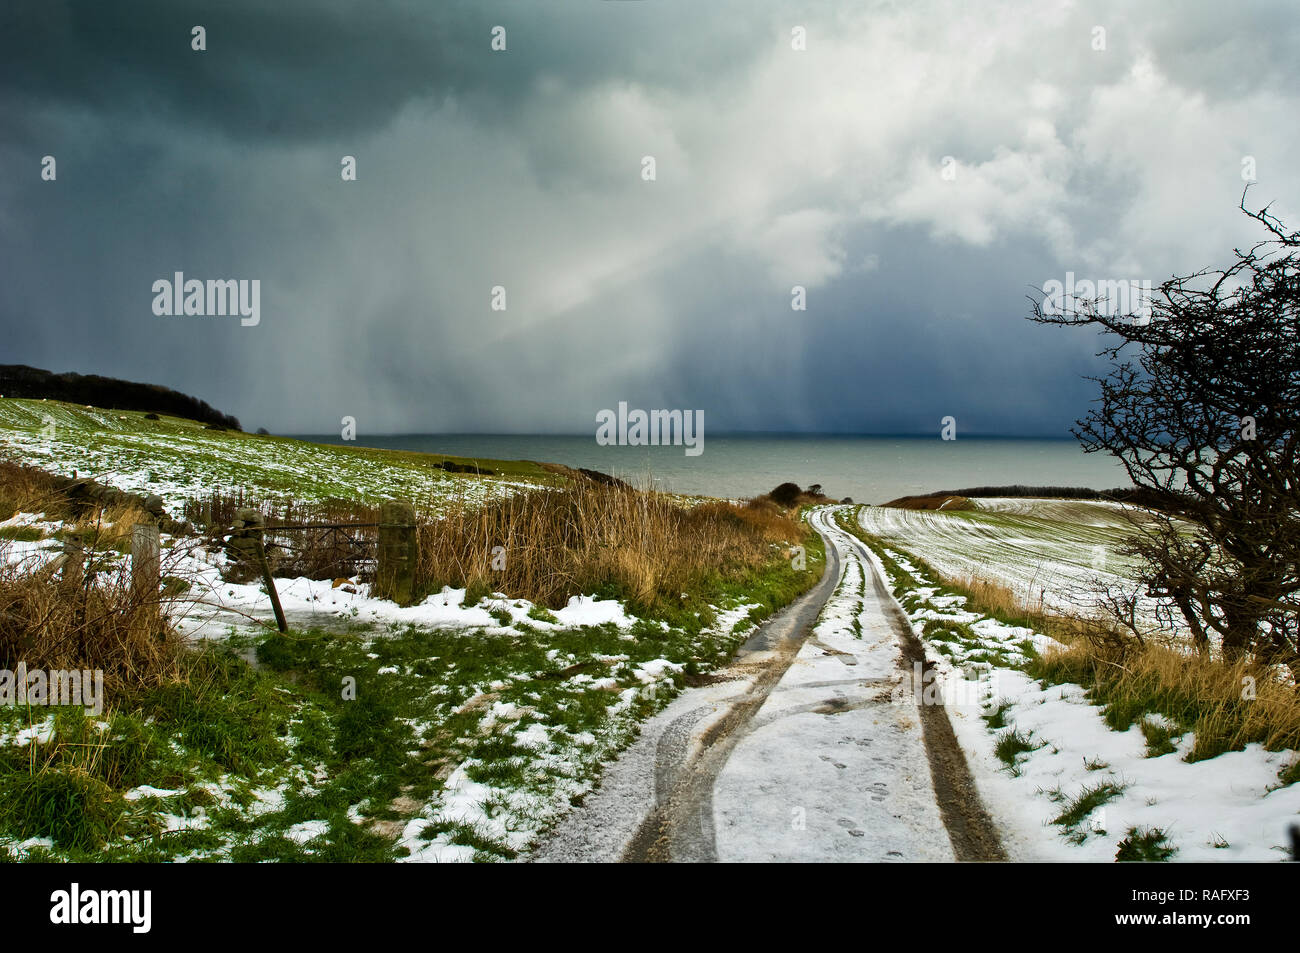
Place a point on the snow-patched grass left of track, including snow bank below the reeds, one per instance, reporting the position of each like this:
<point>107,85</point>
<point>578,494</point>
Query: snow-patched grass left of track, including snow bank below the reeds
<point>478,725</point>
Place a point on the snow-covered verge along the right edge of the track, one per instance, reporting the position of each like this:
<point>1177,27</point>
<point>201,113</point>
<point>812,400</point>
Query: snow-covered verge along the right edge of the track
<point>1071,789</point>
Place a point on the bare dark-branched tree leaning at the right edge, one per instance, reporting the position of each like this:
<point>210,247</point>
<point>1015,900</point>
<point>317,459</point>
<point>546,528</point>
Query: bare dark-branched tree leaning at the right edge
<point>1202,406</point>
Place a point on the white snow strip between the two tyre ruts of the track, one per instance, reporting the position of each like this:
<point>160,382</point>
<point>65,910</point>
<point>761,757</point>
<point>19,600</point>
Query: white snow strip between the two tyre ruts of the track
<point>834,766</point>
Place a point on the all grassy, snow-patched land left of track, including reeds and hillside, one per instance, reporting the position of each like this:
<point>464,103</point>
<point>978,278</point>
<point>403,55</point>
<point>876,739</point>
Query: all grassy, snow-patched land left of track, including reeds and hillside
<point>454,730</point>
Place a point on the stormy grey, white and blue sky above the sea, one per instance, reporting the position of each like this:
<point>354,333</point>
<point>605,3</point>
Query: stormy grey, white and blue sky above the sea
<point>917,168</point>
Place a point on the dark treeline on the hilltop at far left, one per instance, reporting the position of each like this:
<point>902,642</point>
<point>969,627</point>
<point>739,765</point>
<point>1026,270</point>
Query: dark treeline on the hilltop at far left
<point>20,380</point>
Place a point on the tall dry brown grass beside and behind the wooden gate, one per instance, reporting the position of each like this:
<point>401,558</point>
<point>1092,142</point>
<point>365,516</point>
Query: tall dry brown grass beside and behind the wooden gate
<point>582,539</point>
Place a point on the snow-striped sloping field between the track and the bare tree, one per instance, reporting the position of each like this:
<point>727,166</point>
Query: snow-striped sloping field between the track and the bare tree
<point>1050,551</point>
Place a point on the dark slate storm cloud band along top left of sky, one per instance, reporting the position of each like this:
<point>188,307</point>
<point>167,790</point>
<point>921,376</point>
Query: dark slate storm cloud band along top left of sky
<point>307,70</point>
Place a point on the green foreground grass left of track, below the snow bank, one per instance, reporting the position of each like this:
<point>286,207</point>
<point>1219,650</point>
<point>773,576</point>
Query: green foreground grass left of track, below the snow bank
<point>358,730</point>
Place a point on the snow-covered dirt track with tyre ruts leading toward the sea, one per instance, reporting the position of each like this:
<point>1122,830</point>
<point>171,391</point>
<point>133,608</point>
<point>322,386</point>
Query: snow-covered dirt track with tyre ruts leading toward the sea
<point>809,747</point>
